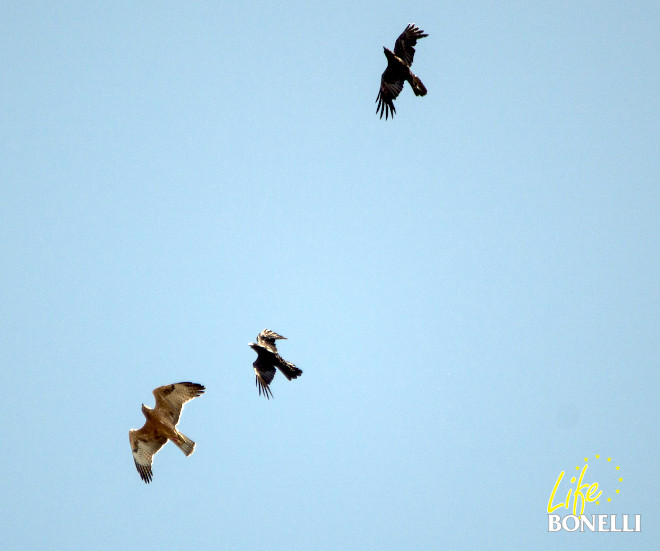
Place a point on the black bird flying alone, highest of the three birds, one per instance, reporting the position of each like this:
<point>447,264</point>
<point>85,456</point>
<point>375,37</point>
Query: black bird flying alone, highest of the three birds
<point>398,71</point>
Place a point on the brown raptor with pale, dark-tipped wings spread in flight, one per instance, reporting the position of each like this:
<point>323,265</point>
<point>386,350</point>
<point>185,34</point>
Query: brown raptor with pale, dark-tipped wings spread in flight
<point>161,425</point>
